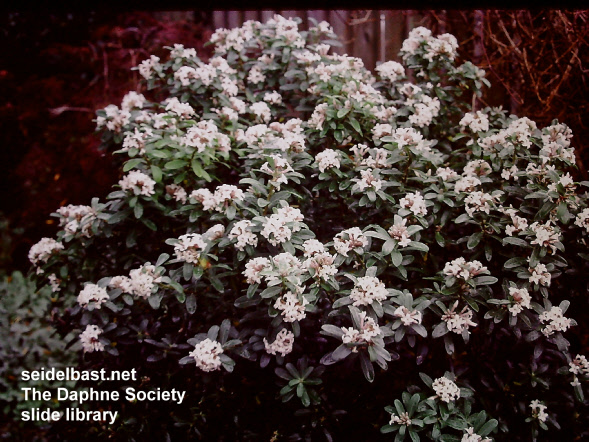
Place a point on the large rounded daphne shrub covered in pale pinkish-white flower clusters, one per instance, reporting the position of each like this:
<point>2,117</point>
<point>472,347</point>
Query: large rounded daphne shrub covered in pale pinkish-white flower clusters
<point>283,210</point>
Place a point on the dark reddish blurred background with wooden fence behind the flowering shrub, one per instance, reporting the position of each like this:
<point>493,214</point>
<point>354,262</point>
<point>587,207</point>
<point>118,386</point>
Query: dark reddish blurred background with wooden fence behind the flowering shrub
<point>57,68</point>
